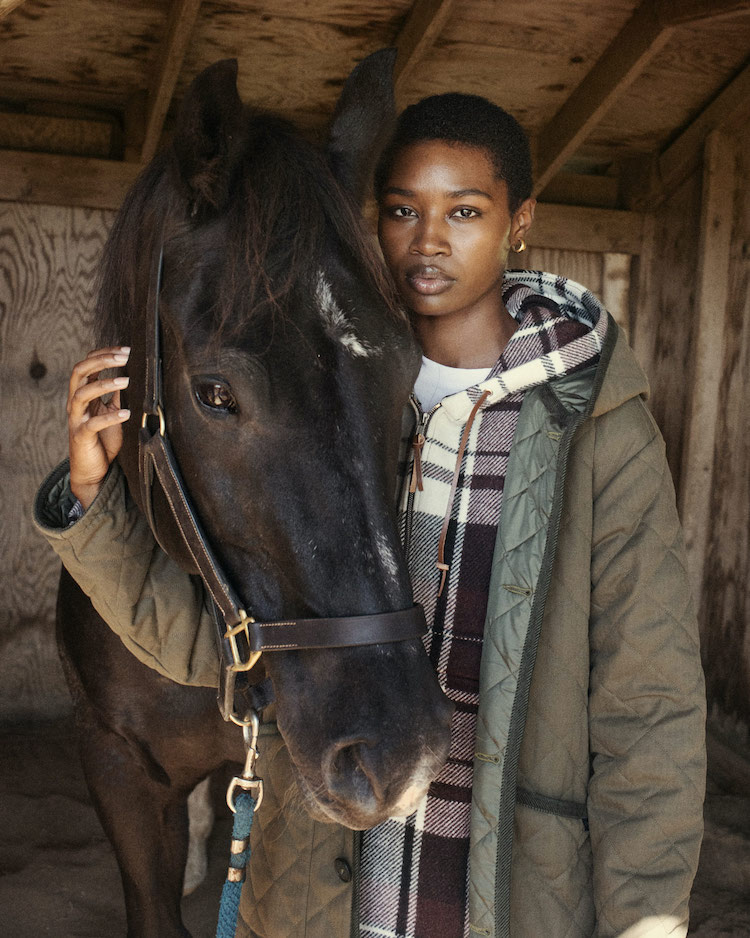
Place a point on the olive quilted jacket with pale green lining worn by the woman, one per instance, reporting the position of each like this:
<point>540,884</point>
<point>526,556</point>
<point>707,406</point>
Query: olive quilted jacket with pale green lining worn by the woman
<point>590,761</point>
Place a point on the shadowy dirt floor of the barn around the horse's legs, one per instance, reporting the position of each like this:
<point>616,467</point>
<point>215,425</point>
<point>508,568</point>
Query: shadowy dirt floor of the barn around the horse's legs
<point>58,875</point>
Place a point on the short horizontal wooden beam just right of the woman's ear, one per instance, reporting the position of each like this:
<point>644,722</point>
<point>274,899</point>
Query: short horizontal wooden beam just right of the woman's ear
<point>576,228</point>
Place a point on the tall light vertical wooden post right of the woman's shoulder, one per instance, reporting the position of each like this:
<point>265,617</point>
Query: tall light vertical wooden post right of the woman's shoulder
<point>707,343</point>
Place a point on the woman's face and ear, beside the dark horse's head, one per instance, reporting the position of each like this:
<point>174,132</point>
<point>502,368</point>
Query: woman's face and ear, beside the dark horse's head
<point>445,228</point>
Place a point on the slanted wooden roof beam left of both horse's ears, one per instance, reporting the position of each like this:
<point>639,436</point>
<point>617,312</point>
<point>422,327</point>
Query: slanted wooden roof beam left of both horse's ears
<point>182,16</point>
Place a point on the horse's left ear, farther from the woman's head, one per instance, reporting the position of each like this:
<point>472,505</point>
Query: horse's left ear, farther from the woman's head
<point>208,136</point>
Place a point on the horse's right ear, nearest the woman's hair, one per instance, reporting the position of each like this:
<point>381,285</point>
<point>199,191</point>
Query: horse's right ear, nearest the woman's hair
<point>363,121</point>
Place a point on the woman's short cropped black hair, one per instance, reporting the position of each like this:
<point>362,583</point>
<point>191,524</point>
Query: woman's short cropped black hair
<point>470,120</point>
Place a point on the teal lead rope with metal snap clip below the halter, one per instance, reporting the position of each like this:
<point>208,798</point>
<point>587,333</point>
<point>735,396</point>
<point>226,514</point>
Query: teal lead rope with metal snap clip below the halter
<point>243,803</point>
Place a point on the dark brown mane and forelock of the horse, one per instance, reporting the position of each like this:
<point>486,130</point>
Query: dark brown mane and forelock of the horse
<point>284,210</point>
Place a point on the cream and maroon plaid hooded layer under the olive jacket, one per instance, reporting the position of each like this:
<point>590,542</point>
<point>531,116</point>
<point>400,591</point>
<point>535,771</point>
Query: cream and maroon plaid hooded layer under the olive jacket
<point>414,871</point>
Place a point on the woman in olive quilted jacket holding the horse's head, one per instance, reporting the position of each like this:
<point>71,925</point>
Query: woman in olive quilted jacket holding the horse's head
<point>543,542</point>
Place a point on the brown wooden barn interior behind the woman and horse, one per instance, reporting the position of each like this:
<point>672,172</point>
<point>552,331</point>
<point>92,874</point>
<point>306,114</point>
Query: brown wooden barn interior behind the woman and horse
<point>638,117</point>
